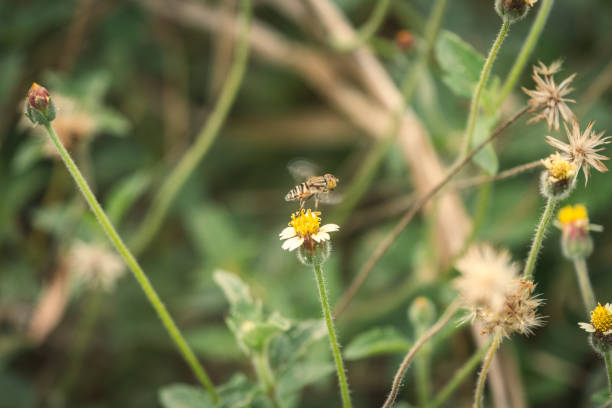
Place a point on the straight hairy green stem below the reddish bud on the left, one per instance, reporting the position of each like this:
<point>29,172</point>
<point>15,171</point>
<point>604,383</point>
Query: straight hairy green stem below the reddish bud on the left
<point>132,263</point>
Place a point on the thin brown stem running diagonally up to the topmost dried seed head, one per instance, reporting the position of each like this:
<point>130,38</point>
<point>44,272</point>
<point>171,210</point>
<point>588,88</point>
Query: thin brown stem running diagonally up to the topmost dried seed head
<point>384,245</point>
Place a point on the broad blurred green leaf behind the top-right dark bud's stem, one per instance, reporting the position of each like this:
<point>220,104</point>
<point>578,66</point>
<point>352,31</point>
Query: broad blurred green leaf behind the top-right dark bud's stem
<point>460,63</point>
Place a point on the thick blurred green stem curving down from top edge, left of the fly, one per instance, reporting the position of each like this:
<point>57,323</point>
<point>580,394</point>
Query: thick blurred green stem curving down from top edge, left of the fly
<point>180,174</point>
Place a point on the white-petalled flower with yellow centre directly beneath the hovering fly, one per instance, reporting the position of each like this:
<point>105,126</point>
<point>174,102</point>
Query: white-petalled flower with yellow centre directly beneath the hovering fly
<point>304,228</point>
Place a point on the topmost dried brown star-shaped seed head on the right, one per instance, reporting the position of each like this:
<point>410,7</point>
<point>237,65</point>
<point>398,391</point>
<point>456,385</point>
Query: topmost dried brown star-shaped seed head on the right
<point>548,97</point>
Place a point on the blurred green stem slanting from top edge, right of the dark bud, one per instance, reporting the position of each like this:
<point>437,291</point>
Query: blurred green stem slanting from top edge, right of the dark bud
<point>528,46</point>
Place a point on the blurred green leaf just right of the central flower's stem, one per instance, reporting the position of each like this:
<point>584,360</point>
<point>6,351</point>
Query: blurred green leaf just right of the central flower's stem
<point>380,340</point>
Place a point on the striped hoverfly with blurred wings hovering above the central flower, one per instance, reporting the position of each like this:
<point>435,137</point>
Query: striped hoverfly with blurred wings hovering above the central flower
<point>318,187</point>
